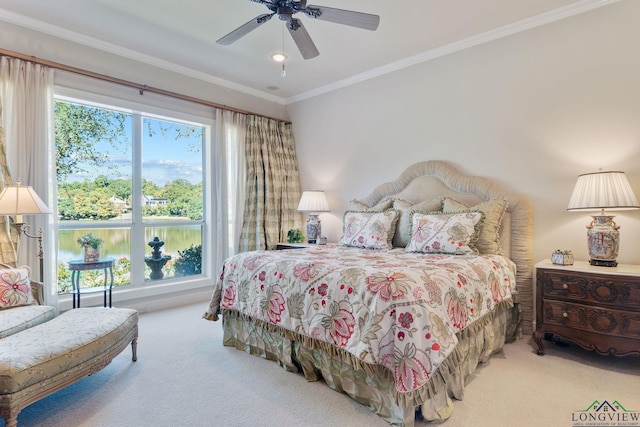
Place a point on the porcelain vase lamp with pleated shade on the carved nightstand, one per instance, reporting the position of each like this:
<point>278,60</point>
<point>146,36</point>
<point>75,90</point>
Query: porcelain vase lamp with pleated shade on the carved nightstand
<point>600,191</point>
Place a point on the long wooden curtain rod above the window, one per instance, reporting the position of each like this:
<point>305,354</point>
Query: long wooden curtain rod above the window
<point>140,87</point>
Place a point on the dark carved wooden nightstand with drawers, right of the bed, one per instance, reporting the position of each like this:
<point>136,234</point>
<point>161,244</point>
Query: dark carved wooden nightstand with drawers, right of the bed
<point>597,308</point>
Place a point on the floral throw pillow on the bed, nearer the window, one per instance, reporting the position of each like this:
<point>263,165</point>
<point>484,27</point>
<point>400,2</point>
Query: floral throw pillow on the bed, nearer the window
<point>369,230</point>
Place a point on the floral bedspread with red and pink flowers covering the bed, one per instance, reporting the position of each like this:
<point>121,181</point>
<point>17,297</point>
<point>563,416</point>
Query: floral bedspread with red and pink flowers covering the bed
<point>389,307</point>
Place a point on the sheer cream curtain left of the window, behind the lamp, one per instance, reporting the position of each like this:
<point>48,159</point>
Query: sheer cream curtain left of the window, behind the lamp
<point>26,96</point>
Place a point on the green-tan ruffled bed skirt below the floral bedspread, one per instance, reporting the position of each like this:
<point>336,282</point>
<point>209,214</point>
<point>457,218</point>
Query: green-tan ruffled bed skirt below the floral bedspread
<point>372,385</point>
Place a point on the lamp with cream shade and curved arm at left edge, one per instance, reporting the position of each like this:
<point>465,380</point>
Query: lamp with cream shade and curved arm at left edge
<point>21,200</point>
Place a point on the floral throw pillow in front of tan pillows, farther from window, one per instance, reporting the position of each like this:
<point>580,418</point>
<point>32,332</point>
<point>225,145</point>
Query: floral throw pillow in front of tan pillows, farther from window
<point>453,233</point>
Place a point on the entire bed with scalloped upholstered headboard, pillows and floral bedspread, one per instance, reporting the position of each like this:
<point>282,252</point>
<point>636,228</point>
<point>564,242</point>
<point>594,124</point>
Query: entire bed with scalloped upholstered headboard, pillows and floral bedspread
<point>432,276</point>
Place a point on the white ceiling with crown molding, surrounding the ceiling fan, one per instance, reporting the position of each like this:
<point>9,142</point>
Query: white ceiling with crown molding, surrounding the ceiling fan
<point>181,35</point>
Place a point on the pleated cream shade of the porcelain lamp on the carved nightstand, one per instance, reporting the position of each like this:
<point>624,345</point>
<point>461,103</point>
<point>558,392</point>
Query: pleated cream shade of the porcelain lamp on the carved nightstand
<point>603,190</point>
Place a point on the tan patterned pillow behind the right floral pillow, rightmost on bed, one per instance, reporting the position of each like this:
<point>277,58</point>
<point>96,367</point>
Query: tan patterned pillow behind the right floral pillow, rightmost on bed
<point>489,240</point>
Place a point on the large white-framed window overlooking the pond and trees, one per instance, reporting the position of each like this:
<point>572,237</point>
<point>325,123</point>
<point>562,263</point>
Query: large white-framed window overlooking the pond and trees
<point>134,176</point>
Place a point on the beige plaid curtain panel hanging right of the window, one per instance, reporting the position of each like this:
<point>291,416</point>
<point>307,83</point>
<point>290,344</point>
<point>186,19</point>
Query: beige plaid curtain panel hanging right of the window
<point>272,185</point>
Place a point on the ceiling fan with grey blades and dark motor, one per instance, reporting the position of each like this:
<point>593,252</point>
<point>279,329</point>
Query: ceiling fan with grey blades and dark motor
<point>285,9</point>
